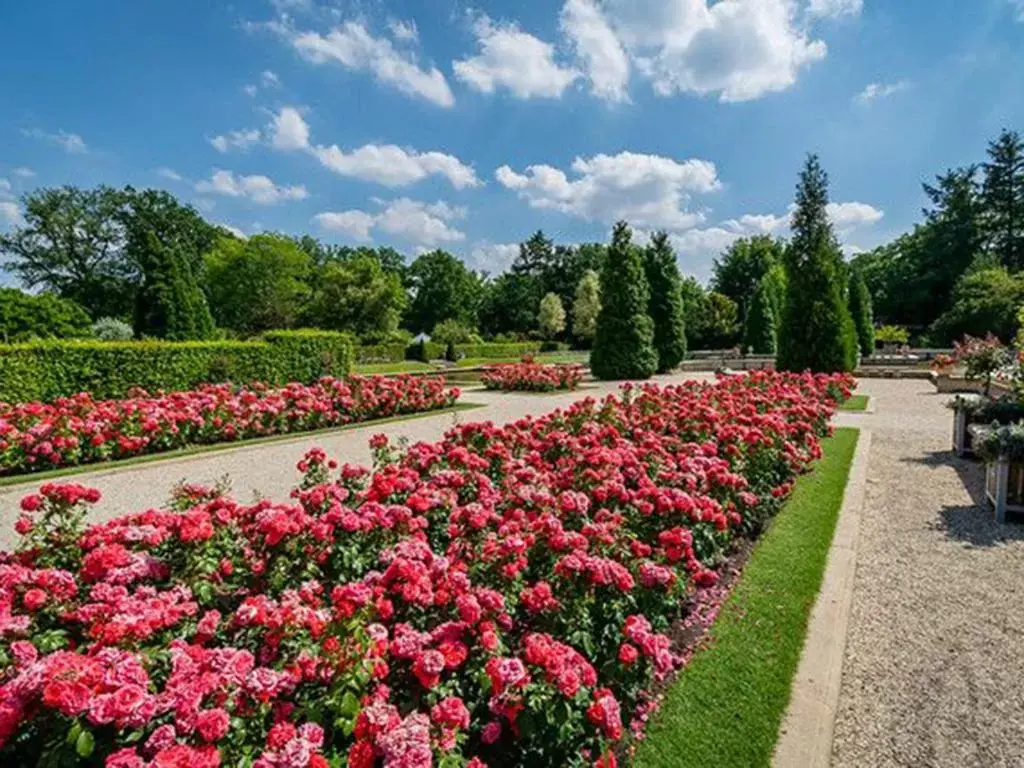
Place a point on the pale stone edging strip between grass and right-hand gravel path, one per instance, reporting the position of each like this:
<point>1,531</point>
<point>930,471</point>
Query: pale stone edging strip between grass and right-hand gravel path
<point>806,736</point>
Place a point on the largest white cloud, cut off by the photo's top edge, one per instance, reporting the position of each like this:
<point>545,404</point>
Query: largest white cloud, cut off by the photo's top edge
<point>739,50</point>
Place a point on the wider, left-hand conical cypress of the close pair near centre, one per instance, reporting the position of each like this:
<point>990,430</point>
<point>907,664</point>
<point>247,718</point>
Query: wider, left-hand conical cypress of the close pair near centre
<point>624,346</point>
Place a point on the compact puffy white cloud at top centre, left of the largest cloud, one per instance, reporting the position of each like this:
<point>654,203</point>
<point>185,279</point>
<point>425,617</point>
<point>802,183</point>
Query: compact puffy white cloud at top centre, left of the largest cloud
<point>514,60</point>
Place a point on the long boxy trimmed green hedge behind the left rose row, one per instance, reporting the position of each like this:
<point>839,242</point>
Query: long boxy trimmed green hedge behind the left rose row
<point>45,371</point>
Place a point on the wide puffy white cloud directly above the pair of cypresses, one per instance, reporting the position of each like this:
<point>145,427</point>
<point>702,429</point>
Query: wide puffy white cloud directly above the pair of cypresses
<point>649,191</point>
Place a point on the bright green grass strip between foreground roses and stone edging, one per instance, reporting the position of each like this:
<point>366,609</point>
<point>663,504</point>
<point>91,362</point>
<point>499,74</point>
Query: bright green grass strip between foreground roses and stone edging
<point>728,706</point>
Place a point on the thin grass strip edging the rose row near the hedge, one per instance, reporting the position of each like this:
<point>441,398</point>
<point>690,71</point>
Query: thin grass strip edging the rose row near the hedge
<point>33,478</point>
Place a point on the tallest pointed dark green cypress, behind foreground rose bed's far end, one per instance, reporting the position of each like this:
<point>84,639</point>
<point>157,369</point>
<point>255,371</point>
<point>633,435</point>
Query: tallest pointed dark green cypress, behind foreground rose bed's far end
<point>818,332</point>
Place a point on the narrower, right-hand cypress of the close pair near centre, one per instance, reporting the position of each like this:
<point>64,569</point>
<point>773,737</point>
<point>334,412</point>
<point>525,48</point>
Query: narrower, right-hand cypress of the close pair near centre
<point>666,306</point>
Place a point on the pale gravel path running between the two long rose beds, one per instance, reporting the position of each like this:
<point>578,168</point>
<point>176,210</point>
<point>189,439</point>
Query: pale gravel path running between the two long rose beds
<point>269,471</point>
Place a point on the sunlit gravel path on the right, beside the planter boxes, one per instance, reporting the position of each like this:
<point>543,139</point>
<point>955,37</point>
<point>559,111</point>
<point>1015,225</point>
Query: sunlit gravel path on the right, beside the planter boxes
<point>934,667</point>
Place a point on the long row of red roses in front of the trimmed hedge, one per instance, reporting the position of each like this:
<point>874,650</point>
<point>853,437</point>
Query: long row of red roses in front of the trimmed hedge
<point>76,431</point>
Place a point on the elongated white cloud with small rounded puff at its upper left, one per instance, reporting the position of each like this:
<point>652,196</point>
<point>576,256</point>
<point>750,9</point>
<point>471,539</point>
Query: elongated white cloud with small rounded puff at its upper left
<point>385,164</point>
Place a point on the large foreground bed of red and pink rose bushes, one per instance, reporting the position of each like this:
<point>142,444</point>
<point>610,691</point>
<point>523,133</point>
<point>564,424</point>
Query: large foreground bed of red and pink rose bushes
<point>499,599</point>
